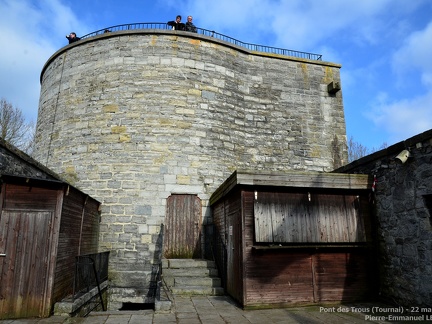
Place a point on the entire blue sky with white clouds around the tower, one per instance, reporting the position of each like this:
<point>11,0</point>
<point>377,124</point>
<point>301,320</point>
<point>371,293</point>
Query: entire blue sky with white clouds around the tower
<point>384,47</point>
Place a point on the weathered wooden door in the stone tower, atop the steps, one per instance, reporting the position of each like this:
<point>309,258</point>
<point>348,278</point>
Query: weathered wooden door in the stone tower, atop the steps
<point>183,227</point>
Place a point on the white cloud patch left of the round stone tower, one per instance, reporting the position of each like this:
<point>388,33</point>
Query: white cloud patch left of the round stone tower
<point>32,33</point>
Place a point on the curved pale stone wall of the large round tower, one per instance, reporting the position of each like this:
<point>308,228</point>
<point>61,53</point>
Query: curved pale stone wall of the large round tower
<point>132,117</point>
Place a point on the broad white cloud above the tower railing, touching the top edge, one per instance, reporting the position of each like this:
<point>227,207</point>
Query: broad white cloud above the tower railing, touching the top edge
<point>298,24</point>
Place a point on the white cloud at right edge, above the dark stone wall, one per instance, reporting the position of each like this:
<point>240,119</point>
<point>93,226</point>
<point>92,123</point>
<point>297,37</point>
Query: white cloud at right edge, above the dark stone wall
<point>403,118</point>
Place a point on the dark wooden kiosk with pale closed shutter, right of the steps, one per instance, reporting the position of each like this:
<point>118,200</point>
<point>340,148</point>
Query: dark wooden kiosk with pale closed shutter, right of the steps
<point>294,238</point>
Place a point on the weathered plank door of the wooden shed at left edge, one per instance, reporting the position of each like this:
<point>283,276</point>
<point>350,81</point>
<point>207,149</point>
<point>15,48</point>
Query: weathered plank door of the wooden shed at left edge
<point>24,250</point>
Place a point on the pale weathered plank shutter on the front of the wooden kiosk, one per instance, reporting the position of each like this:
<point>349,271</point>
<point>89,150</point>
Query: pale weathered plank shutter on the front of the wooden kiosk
<point>309,218</point>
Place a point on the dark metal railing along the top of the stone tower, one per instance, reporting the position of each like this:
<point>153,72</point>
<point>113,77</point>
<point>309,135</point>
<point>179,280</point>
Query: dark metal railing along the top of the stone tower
<point>211,33</point>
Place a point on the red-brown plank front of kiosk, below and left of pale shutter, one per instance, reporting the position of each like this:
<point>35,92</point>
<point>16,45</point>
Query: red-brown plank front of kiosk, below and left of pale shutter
<point>303,275</point>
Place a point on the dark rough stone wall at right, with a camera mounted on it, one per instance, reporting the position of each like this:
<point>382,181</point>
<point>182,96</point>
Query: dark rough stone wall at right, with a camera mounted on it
<point>403,200</point>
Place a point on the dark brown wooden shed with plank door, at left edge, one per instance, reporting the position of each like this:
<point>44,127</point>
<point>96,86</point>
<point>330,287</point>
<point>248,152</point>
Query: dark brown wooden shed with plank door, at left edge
<point>44,226</point>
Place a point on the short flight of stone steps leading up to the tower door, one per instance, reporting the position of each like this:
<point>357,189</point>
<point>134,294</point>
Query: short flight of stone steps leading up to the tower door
<point>191,277</point>
